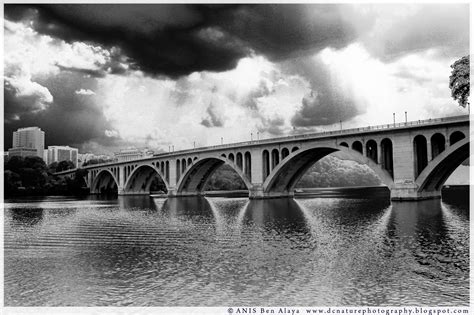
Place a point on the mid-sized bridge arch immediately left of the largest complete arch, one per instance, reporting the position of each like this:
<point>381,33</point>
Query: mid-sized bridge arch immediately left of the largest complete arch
<point>194,179</point>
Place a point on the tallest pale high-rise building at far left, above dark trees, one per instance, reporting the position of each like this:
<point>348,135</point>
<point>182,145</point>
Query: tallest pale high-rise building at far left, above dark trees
<point>27,142</point>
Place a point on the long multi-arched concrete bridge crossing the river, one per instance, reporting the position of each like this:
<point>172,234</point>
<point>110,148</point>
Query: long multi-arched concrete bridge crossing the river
<point>413,159</point>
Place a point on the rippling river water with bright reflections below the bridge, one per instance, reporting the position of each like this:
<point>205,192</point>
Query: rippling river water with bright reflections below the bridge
<point>214,251</point>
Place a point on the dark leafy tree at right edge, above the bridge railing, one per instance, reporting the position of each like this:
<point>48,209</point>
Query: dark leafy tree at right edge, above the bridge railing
<point>459,81</point>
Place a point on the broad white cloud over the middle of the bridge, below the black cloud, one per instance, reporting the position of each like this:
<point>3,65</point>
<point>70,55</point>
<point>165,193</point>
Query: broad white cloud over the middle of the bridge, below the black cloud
<point>162,112</point>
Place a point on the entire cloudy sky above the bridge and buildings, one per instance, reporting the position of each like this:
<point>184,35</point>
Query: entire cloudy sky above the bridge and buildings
<point>102,77</point>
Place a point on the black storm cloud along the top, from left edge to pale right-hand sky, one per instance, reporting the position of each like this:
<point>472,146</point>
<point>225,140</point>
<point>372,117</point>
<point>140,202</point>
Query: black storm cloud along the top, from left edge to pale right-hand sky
<point>176,40</point>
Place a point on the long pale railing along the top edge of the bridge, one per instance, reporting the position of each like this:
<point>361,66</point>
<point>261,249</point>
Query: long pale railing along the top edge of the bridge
<point>320,134</point>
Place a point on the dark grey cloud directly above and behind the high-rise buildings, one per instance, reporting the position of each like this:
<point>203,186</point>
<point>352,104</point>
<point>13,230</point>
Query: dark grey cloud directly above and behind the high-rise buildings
<point>71,119</point>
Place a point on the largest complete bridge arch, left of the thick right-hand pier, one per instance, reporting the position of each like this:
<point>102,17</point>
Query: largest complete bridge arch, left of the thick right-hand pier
<point>285,176</point>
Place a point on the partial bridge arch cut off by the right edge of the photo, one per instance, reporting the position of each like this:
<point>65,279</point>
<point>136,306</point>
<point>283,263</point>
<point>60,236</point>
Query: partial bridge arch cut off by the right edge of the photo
<point>440,168</point>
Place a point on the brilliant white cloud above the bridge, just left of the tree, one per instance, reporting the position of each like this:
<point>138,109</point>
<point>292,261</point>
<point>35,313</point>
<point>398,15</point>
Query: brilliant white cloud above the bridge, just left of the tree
<point>416,83</point>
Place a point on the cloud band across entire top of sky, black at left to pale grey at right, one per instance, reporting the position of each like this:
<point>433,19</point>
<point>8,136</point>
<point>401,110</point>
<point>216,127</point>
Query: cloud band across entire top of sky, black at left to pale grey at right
<point>176,40</point>
